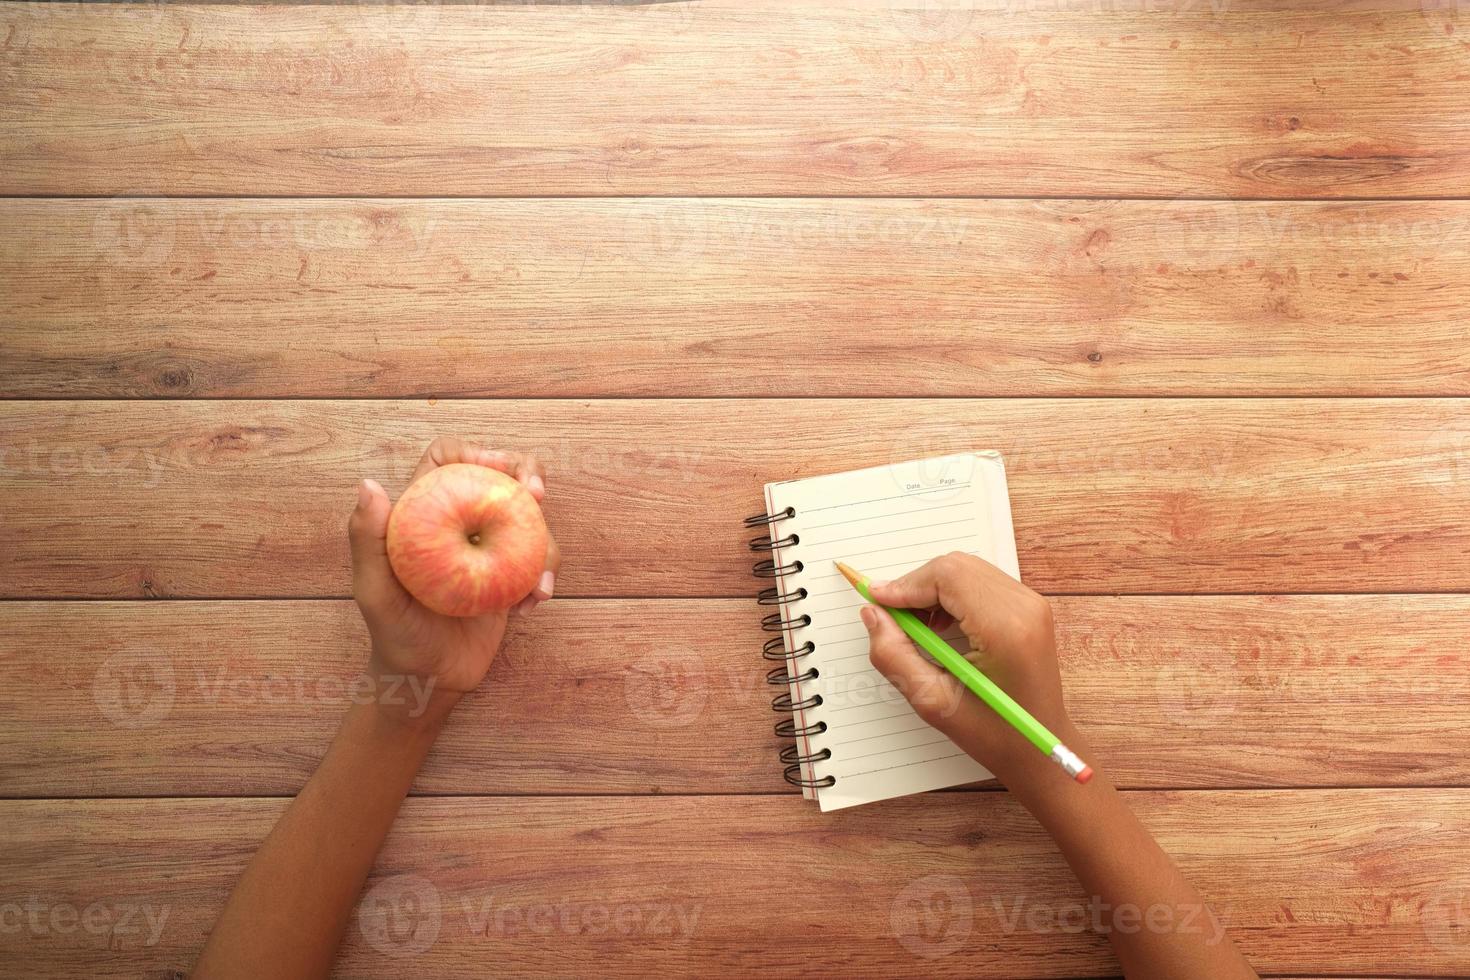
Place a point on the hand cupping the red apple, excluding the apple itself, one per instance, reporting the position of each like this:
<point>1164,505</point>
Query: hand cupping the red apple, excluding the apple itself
<point>411,641</point>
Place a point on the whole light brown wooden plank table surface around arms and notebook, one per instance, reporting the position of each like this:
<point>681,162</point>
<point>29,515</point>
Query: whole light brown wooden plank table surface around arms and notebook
<point>1200,271</point>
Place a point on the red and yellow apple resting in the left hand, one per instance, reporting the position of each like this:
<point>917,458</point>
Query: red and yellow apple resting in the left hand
<point>467,540</point>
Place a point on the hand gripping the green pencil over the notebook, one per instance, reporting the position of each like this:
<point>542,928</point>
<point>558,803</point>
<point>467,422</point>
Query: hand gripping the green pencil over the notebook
<point>1011,630</point>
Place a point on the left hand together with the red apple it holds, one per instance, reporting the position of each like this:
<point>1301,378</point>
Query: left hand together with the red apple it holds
<point>437,577</point>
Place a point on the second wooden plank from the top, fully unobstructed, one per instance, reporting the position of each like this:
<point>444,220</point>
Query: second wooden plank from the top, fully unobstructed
<point>889,298</point>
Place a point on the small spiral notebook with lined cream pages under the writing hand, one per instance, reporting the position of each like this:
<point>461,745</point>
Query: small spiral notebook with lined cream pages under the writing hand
<point>855,738</point>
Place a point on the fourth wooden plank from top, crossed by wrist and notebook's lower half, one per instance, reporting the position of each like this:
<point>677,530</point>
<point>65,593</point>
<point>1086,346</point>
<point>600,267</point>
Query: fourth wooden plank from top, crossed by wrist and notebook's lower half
<point>242,699</point>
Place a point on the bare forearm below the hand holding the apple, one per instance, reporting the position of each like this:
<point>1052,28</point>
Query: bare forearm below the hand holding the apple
<point>292,907</point>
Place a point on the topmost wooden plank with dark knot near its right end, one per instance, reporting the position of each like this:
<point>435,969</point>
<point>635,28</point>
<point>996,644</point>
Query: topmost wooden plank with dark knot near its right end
<point>737,98</point>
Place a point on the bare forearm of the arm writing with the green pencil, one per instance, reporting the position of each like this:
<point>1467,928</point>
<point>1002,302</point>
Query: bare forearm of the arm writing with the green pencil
<point>1158,922</point>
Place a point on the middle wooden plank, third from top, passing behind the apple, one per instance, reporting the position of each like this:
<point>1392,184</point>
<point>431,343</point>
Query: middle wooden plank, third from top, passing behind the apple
<point>249,499</point>
